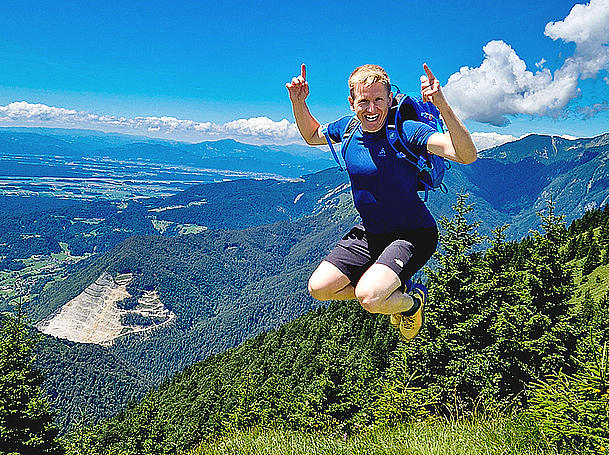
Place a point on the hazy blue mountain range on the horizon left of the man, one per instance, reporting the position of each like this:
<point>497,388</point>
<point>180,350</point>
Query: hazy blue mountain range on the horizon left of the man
<point>286,161</point>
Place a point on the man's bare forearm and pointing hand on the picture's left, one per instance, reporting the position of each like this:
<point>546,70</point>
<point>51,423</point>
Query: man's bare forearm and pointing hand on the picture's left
<point>309,128</point>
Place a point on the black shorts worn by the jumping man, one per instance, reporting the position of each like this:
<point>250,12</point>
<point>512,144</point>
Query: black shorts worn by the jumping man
<point>405,253</point>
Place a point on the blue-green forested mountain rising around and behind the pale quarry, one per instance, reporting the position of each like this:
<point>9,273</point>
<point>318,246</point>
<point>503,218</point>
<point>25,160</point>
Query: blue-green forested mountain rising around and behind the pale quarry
<point>224,287</point>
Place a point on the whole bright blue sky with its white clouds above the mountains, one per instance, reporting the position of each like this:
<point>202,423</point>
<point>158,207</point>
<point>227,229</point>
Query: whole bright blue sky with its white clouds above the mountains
<point>204,70</point>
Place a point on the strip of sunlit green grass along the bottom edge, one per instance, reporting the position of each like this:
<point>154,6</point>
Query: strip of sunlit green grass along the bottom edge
<point>500,435</point>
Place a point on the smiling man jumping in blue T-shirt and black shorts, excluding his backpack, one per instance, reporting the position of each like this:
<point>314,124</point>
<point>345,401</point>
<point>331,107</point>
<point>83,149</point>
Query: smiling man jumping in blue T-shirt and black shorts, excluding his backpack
<point>375,261</point>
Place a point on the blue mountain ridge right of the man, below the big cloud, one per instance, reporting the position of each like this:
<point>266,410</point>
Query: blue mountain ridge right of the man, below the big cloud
<point>510,183</point>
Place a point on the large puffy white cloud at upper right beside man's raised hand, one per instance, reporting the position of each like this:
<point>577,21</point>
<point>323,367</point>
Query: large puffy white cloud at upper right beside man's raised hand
<point>503,87</point>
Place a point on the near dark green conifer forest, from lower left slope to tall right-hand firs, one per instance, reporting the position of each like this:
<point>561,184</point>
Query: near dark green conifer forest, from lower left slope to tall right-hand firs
<point>498,321</point>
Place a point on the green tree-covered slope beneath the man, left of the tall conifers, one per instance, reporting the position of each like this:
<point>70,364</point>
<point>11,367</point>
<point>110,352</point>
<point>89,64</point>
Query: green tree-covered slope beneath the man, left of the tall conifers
<point>328,359</point>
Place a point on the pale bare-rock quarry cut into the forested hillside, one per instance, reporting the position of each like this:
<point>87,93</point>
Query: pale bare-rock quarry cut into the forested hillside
<point>95,317</point>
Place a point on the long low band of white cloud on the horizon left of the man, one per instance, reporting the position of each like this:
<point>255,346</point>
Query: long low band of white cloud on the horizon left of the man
<point>257,129</point>
